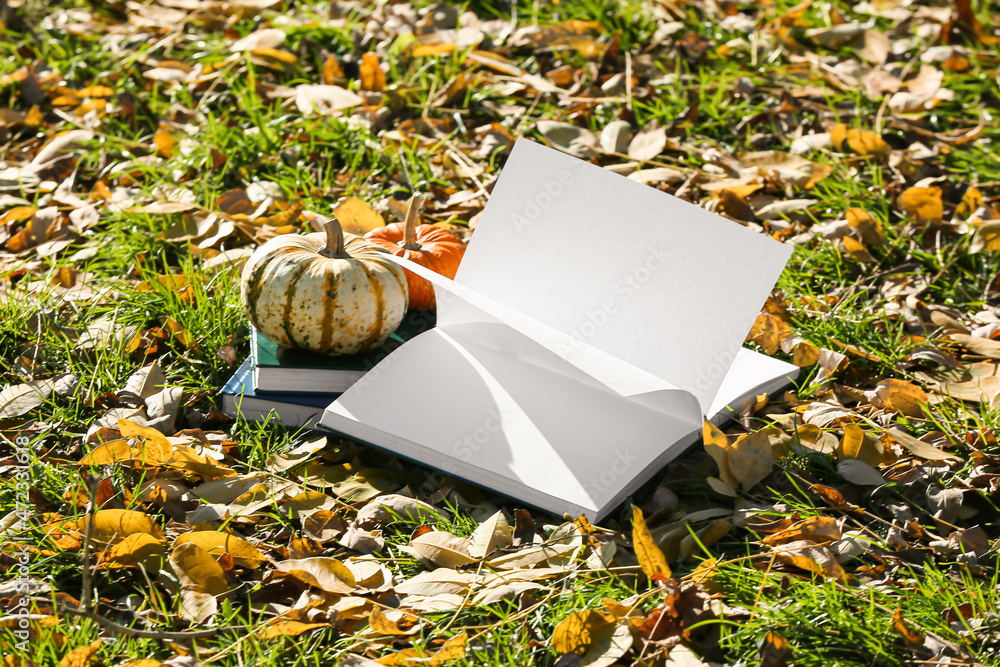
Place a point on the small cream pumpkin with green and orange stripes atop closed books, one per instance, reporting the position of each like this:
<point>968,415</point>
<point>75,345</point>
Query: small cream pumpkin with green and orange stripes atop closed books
<point>327,292</point>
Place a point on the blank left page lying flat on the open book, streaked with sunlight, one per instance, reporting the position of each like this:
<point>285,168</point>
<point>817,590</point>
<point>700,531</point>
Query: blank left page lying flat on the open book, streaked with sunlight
<point>519,426</point>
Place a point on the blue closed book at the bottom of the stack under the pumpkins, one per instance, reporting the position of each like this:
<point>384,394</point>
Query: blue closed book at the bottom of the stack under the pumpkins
<point>240,400</point>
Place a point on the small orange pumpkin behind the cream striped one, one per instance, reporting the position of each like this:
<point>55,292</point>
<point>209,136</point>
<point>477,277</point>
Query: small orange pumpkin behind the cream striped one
<point>437,249</point>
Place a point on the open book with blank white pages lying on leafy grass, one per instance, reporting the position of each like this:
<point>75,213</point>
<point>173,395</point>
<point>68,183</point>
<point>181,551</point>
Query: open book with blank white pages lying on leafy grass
<point>593,322</point>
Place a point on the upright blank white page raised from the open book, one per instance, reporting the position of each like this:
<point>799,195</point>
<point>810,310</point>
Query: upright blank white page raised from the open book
<point>648,278</point>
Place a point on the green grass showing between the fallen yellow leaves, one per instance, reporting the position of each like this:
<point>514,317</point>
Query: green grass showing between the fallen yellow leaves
<point>316,160</point>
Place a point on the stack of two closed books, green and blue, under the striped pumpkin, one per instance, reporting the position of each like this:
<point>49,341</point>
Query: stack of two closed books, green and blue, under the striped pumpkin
<point>293,386</point>
